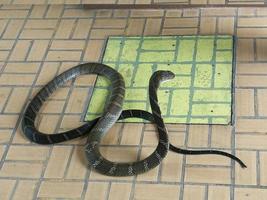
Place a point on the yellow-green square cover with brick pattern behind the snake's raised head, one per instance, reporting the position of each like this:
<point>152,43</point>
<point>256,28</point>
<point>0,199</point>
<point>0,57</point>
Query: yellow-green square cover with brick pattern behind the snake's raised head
<point>200,93</point>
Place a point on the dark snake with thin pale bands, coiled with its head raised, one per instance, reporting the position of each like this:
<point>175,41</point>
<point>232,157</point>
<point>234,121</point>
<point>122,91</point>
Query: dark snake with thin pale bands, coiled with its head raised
<point>97,128</point>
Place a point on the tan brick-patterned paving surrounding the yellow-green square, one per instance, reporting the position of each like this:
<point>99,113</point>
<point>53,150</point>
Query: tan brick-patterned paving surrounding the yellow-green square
<point>39,42</point>
